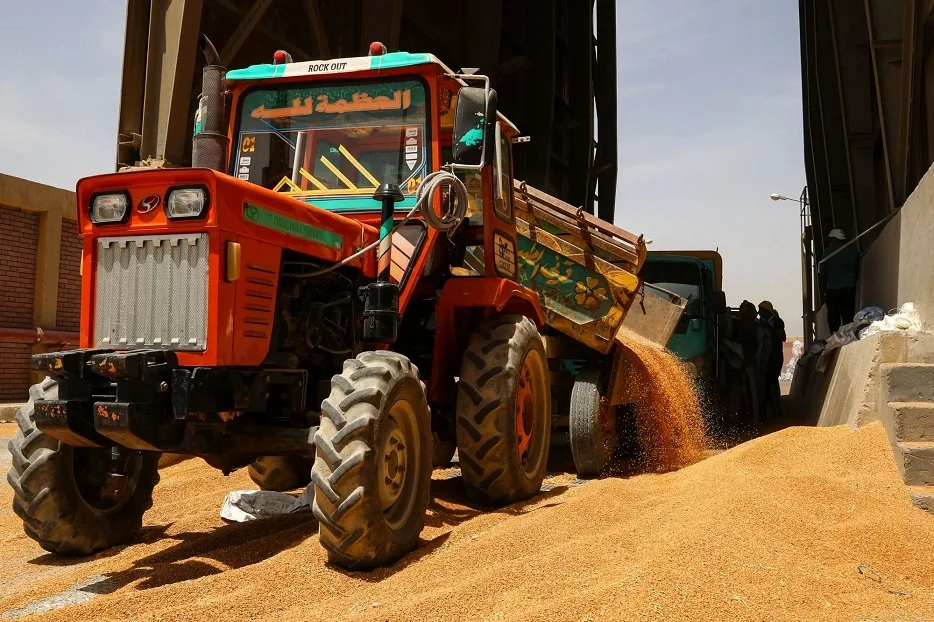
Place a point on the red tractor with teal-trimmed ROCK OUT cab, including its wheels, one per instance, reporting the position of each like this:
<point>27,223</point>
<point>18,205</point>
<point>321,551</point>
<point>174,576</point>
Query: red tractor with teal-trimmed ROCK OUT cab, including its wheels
<point>334,280</point>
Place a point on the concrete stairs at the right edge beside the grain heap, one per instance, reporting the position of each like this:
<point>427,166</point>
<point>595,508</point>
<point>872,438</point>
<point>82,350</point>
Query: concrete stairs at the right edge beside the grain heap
<point>907,412</point>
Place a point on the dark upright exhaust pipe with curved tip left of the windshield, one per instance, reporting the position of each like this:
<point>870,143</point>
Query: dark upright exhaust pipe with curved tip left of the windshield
<point>210,143</point>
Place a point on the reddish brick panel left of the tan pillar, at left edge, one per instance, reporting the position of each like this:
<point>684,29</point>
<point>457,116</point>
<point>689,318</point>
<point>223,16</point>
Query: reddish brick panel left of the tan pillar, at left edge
<point>19,235</point>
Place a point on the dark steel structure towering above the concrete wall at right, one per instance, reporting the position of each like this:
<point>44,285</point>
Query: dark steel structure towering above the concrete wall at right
<point>868,87</point>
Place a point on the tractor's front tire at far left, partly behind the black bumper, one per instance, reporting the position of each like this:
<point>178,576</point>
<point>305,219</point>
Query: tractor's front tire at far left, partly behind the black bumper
<point>57,497</point>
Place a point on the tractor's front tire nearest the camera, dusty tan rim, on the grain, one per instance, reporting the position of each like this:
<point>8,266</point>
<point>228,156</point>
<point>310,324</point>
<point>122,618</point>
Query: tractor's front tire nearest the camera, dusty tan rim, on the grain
<point>372,470</point>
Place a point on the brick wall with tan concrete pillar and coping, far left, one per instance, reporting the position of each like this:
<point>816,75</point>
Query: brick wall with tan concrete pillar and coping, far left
<point>39,282</point>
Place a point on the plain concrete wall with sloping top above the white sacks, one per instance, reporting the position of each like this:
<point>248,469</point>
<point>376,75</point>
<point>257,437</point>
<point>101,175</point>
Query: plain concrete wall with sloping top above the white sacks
<point>897,268</point>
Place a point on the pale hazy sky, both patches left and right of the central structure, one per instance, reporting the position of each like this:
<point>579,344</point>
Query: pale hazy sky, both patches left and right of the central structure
<point>709,115</point>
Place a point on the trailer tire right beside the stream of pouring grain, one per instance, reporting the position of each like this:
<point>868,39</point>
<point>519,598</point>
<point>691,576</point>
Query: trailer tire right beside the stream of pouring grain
<point>592,423</point>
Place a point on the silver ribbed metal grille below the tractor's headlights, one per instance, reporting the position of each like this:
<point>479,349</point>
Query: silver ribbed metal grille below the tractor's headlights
<point>152,292</point>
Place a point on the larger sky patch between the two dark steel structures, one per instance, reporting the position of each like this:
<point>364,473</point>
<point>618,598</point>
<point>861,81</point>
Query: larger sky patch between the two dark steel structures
<point>709,115</point>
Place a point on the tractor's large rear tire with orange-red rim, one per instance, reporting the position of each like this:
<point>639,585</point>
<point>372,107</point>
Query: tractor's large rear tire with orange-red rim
<point>504,411</point>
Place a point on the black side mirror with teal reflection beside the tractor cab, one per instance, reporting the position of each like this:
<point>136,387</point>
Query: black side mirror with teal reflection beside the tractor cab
<point>474,123</point>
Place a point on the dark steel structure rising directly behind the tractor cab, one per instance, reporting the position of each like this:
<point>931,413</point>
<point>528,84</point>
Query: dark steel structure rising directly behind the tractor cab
<point>553,63</point>
